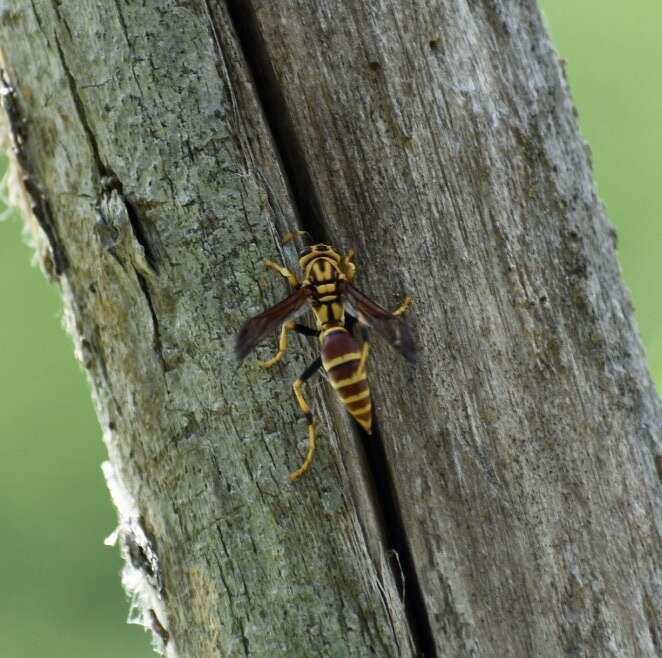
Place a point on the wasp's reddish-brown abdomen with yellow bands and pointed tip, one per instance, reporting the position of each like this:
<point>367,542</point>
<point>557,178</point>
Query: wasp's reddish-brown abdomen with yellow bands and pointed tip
<point>341,356</point>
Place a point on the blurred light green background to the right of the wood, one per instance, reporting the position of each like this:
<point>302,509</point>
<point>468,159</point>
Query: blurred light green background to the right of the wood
<point>613,52</point>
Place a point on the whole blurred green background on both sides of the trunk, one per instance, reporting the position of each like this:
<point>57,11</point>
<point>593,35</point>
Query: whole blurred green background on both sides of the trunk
<point>61,595</point>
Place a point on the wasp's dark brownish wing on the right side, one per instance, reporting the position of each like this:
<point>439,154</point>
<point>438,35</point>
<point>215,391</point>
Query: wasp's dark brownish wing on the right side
<point>389,326</point>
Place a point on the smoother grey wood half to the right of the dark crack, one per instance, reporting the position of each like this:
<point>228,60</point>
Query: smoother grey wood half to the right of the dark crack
<point>439,139</point>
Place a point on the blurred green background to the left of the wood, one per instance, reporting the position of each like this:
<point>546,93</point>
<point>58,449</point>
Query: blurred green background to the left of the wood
<point>61,594</point>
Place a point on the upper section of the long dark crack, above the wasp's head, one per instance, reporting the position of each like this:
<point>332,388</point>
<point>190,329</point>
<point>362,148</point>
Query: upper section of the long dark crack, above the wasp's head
<point>278,119</point>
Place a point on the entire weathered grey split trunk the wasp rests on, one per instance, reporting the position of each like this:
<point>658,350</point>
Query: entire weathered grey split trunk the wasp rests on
<point>167,149</point>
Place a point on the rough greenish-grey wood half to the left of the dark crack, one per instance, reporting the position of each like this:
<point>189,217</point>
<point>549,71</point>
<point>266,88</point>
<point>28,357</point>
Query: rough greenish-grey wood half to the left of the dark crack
<point>162,211</point>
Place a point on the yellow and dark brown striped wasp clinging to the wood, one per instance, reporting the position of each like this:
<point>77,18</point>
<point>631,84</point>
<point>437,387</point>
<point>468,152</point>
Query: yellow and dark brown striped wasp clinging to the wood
<point>337,305</point>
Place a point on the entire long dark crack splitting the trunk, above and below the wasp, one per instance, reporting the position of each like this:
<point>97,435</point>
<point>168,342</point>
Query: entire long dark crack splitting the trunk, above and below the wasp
<point>306,203</point>
